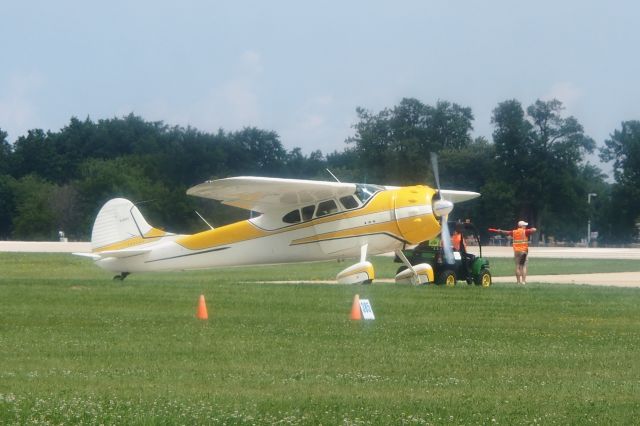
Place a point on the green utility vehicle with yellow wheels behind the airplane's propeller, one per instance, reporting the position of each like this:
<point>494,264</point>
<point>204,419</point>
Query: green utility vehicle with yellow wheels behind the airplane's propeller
<point>474,269</point>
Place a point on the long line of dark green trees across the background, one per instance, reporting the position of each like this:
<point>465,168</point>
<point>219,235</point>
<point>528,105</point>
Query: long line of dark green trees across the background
<point>533,169</point>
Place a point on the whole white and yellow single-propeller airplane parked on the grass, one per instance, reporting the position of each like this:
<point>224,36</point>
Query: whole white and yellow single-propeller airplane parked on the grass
<point>297,221</point>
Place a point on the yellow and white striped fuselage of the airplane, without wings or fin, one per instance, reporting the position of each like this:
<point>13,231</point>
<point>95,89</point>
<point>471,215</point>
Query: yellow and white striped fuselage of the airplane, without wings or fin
<point>390,219</point>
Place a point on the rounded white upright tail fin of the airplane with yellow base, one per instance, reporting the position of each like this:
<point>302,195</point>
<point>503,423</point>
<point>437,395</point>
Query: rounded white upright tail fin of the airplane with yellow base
<point>120,225</point>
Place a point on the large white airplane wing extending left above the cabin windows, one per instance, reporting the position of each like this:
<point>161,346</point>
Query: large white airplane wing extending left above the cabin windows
<point>261,194</point>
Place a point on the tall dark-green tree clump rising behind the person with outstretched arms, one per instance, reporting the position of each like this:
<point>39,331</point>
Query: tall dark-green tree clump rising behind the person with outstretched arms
<point>542,157</point>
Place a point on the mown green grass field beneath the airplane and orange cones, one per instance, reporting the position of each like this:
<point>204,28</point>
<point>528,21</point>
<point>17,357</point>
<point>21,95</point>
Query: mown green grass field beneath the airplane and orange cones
<point>77,347</point>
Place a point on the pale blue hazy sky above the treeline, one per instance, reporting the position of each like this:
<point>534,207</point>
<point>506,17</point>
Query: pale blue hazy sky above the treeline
<point>301,68</point>
